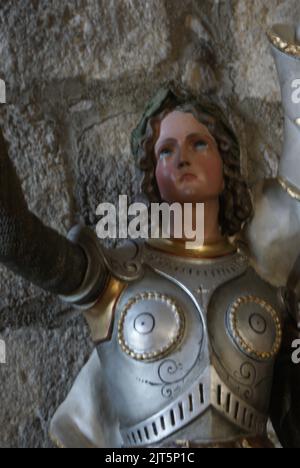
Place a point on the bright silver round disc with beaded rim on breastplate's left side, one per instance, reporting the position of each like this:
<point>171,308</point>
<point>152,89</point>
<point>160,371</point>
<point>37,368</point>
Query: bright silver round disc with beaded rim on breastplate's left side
<point>141,324</point>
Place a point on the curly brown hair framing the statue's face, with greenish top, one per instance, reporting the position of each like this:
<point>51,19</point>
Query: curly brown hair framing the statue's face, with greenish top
<point>235,201</point>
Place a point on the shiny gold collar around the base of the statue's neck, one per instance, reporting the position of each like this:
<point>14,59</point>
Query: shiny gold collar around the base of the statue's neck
<point>178,247</point>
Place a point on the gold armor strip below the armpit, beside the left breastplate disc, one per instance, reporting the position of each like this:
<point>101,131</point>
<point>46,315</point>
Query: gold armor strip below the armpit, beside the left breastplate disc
<point>99,318</point>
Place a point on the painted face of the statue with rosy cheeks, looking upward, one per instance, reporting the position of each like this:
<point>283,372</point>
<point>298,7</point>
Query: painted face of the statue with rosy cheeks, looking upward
<point>189,166</point>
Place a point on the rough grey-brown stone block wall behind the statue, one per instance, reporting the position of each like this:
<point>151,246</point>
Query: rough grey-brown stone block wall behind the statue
<point>78,74</point>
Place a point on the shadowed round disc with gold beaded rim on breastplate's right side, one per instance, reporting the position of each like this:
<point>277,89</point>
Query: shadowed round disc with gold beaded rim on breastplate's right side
<point>255,327</point>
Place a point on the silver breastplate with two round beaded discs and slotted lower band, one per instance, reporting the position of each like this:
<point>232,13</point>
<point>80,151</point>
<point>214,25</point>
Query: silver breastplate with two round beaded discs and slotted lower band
<point>192,351</point>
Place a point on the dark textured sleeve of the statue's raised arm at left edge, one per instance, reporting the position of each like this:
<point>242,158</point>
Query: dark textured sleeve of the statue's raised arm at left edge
<point>27,246</point>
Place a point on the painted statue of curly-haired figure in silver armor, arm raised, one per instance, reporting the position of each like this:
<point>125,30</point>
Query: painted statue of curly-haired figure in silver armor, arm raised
<point>192,347</point>
